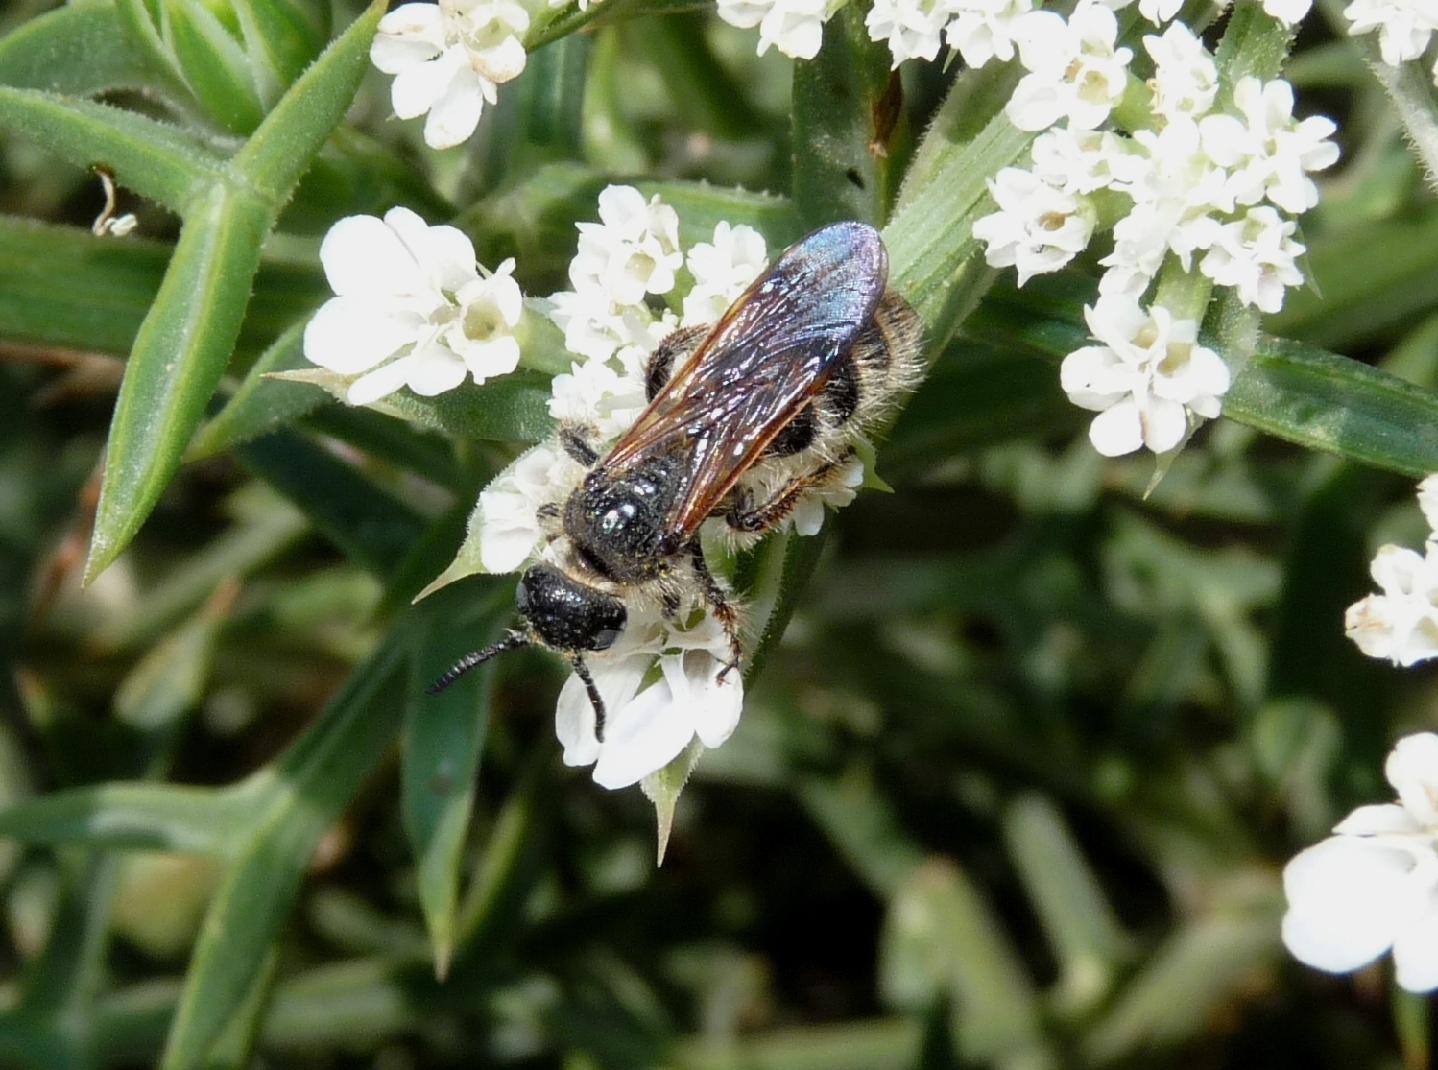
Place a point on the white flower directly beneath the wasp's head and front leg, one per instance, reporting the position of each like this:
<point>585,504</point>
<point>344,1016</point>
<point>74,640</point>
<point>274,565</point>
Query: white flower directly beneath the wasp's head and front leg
<point>648,728</point>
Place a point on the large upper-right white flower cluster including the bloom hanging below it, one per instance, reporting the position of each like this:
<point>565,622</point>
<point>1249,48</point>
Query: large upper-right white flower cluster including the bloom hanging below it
<point>1201,188</point>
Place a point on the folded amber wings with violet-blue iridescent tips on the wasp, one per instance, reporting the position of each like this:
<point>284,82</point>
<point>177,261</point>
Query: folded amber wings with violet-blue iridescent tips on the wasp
<point>770,355</point>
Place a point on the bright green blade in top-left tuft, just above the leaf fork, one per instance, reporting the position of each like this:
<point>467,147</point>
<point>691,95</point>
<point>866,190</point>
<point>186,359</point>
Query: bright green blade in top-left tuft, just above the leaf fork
<point>214,65</point>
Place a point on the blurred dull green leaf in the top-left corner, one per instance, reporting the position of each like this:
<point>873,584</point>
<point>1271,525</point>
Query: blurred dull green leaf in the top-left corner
<point>78,51</point>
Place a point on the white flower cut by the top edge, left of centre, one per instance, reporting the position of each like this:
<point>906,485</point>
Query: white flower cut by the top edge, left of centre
<point>448,58</point>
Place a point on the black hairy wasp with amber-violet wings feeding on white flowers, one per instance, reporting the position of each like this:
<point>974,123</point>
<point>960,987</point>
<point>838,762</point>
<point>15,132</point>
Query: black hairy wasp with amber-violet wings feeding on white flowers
<point>744,418</point>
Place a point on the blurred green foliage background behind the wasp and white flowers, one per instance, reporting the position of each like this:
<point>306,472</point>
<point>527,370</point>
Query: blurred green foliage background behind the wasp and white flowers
<point>1015,785</point>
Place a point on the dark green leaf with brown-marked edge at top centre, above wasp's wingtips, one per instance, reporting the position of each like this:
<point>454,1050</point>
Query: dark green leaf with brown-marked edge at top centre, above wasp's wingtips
<point>846,104</point>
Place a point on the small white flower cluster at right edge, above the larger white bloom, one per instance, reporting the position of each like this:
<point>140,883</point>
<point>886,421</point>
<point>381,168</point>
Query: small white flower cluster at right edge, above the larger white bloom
<point>1401,625</point>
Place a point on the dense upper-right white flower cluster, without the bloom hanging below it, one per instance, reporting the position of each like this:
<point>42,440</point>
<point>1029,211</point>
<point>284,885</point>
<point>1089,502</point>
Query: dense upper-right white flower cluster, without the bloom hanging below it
<point>1212,188</point>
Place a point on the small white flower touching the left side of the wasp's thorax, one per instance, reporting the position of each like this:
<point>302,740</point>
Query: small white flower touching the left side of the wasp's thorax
<point>508,516</point>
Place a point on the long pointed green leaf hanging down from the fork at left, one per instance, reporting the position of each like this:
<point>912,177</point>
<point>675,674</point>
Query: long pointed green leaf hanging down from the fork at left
<point>176,365</point>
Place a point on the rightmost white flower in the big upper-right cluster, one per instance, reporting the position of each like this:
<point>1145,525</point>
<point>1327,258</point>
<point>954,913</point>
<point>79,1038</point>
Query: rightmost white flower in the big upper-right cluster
<point>1269,153</point>
